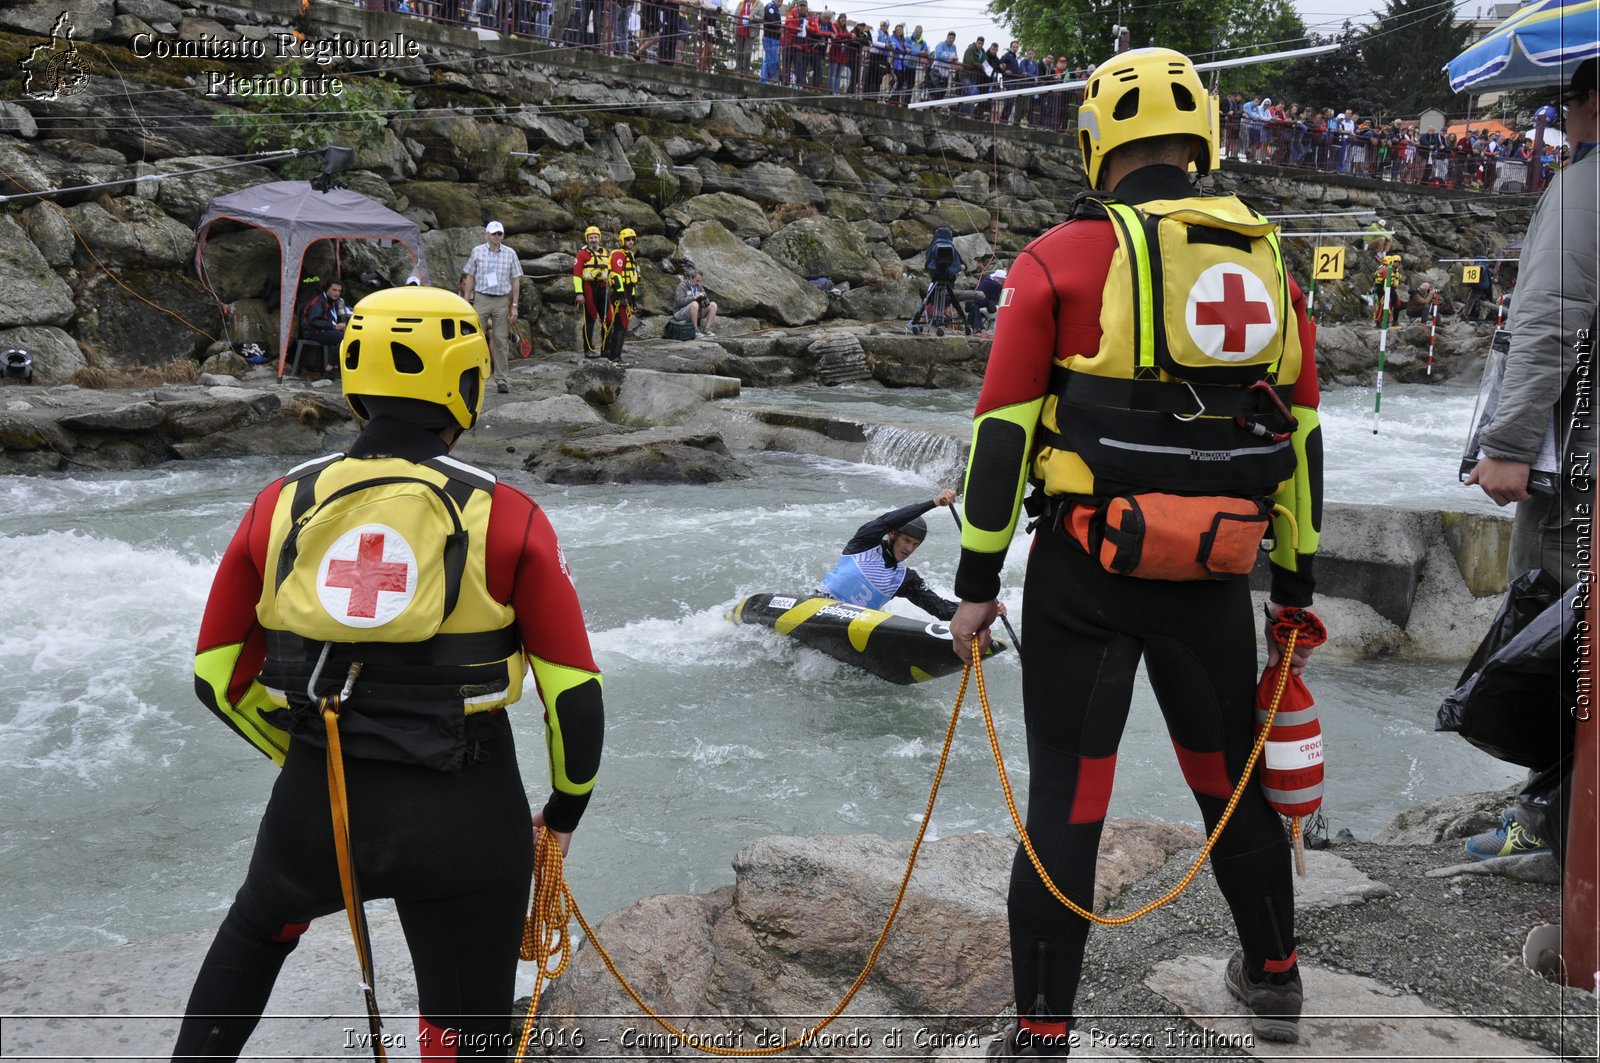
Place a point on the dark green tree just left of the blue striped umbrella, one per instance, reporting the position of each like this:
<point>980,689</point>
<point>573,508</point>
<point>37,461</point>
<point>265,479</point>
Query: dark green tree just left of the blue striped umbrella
<point>1406,55</point>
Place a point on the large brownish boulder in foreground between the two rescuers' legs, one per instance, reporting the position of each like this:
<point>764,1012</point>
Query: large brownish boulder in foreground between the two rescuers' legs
<point>798,926</point>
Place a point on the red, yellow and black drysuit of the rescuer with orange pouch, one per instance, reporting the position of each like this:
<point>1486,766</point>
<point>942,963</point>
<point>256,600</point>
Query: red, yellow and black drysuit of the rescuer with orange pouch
<point>1071,414</point>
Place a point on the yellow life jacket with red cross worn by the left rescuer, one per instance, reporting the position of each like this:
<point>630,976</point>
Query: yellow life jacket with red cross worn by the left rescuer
<point>383,563</point>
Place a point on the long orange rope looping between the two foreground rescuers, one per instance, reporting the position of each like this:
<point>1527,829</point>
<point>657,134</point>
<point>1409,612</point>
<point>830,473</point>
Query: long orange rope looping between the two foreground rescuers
<point>546,939</point>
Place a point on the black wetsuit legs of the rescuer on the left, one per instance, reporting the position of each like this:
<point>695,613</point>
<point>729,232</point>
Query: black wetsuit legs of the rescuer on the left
<point>454,851</point>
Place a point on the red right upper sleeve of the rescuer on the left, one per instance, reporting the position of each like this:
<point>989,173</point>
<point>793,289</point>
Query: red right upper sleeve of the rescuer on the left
<point>527,571</point>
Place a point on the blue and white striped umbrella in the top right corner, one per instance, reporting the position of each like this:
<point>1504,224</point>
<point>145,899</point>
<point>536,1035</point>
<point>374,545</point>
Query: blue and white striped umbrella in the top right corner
<point>1537,47</point>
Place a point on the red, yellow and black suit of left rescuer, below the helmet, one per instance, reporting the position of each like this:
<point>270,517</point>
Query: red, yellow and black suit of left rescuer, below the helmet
<point>439,819</point>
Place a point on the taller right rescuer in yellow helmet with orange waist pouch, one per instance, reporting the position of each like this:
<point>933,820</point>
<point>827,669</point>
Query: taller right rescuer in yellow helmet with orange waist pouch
<point>1145,435</point>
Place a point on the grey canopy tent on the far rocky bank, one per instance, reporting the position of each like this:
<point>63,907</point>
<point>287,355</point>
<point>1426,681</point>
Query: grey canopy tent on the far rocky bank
<point>298,215</point>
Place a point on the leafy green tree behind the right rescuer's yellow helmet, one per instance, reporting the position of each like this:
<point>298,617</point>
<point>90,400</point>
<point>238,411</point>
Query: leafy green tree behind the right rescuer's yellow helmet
<point>1202,30</point>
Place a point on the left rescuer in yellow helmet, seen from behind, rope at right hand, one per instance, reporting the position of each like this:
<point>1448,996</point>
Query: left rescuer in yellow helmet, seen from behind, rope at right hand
<point>446,587</point>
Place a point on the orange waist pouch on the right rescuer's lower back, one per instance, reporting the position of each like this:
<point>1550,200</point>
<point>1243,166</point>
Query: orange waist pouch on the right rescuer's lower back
<point>1172,537</point>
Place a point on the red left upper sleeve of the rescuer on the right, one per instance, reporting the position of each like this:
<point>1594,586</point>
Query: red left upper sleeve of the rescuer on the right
<point>1049,310</point>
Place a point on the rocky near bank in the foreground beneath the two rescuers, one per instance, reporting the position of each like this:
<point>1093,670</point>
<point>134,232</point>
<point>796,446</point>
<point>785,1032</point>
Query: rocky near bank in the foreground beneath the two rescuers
<point>1407,953</point>
